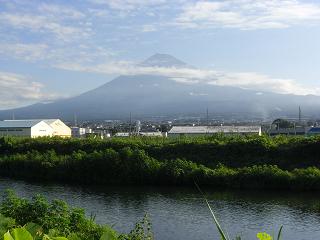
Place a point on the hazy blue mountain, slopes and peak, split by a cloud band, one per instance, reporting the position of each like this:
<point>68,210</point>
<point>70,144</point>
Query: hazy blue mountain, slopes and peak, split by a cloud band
<point>155,95</point>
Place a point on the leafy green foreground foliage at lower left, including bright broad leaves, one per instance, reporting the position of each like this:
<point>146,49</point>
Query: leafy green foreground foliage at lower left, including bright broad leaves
<point>43,220</point>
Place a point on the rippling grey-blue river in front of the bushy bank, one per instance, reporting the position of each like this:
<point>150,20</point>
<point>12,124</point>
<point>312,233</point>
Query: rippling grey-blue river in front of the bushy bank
<point>180,213</point>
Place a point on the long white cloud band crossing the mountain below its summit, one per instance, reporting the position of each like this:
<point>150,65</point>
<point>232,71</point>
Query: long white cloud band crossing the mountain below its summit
<point>245,80</point>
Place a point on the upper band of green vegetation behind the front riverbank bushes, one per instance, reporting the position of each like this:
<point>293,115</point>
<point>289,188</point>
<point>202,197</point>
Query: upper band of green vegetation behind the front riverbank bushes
<point>233,151</point>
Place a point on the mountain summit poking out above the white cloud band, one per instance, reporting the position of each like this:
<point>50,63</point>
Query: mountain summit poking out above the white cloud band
<point>163,60</point>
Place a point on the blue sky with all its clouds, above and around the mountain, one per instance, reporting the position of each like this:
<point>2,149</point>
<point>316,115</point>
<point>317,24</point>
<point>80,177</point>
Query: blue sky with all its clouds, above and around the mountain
<point>56,49</point>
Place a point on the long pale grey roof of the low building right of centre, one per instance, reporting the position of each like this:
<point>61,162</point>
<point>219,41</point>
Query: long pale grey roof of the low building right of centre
<point>214,129</point>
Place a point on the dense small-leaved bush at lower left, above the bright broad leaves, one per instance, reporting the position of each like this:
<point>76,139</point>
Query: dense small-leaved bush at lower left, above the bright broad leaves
<point>55,215</point>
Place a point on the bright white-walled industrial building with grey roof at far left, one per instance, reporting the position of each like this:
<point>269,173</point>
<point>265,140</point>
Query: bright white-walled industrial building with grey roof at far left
<point>34,128</point>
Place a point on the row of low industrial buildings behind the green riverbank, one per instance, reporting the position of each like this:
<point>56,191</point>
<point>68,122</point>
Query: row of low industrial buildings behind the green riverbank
<point>55,127</point>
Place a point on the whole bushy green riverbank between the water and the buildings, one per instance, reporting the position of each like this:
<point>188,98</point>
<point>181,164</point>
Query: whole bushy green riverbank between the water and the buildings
<point>247,162</point>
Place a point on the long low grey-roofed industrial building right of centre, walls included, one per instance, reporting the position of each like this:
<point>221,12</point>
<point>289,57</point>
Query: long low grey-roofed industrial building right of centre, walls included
<point>209,130</point>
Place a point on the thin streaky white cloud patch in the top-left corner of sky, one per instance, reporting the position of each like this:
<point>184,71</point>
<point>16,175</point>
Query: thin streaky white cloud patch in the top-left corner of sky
<point>60,21</point>
